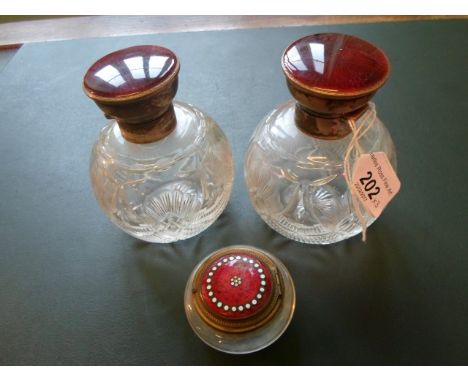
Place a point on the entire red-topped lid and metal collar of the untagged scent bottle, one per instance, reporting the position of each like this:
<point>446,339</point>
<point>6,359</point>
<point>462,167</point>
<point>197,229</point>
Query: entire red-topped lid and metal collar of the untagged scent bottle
<point>136,86</point>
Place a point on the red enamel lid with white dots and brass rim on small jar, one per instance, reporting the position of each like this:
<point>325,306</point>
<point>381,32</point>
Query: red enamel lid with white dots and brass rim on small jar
<point>237,289</point>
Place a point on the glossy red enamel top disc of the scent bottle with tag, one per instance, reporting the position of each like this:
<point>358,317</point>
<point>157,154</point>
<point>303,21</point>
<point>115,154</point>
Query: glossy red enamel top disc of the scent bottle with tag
<point>336,65</point>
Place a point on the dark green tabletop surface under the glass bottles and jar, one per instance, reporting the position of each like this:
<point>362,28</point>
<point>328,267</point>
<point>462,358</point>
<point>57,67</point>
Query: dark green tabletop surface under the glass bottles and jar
<point>76,290</point>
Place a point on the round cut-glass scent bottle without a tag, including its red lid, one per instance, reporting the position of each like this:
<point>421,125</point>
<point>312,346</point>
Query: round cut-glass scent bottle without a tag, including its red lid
<point>161,170</point>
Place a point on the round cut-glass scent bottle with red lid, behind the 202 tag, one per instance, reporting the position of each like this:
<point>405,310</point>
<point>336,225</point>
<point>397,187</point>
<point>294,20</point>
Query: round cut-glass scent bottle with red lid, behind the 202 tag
<point>294,165</point>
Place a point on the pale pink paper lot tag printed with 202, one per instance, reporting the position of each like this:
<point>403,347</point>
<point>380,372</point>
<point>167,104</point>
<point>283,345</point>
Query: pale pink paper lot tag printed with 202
<point>375,182</point>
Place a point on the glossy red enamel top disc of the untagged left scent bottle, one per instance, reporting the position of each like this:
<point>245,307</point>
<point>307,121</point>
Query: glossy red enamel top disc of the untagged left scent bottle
<point>130,73</point>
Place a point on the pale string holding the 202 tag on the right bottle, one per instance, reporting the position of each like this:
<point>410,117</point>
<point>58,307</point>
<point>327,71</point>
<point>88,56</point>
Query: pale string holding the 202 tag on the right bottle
<point>358,128</point>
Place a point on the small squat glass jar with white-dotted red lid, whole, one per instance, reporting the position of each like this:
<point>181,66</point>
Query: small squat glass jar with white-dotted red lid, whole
<point>239,299</point>
